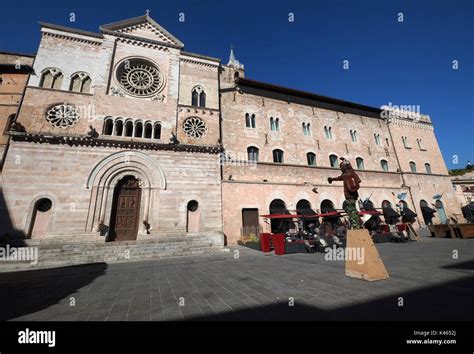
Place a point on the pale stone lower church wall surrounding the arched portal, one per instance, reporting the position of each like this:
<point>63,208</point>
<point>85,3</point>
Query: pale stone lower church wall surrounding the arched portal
<point>61,174</point>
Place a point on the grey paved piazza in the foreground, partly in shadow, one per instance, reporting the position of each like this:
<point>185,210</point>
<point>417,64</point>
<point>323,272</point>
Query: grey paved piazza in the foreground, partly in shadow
<point>256,286</point>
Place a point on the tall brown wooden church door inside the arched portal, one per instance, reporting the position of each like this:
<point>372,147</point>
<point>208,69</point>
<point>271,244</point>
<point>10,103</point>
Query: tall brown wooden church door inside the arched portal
<point>126,210</point>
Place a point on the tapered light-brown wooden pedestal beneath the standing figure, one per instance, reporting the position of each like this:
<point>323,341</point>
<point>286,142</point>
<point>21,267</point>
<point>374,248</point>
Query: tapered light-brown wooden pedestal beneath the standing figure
<point>371,267</point>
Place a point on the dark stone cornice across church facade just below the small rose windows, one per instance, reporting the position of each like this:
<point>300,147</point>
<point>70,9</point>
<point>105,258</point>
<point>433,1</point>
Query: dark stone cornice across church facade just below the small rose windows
<point>84,140</point>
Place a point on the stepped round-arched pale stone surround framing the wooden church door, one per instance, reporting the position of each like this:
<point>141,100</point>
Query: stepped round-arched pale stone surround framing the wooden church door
<point>106,175</point>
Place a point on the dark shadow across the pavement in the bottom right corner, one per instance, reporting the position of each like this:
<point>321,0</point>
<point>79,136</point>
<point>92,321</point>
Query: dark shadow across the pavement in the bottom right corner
<point>449,301</point>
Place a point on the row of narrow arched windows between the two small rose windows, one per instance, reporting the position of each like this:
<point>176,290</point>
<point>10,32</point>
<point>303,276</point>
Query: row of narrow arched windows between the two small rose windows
<point>132,128</point>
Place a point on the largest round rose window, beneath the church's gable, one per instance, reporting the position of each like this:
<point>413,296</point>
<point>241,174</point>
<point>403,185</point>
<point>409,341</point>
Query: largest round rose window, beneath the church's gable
<point>140,77</point>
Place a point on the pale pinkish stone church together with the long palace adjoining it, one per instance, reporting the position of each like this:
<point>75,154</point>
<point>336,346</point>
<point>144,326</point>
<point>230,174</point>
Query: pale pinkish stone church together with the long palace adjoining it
<point>123,135</point>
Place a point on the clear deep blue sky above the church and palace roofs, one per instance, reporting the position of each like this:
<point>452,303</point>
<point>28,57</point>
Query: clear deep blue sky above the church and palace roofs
<point>405,63</point>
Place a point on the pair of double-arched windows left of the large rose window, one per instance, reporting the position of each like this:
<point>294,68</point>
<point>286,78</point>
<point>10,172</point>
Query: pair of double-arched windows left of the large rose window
<point>52,78</point>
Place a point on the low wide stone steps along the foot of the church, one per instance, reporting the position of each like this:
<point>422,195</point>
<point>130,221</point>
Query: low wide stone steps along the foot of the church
<point>61,252</point>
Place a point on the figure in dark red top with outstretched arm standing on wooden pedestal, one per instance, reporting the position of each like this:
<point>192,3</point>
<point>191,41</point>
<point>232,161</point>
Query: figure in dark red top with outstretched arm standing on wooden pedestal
<point>351,186</point>
